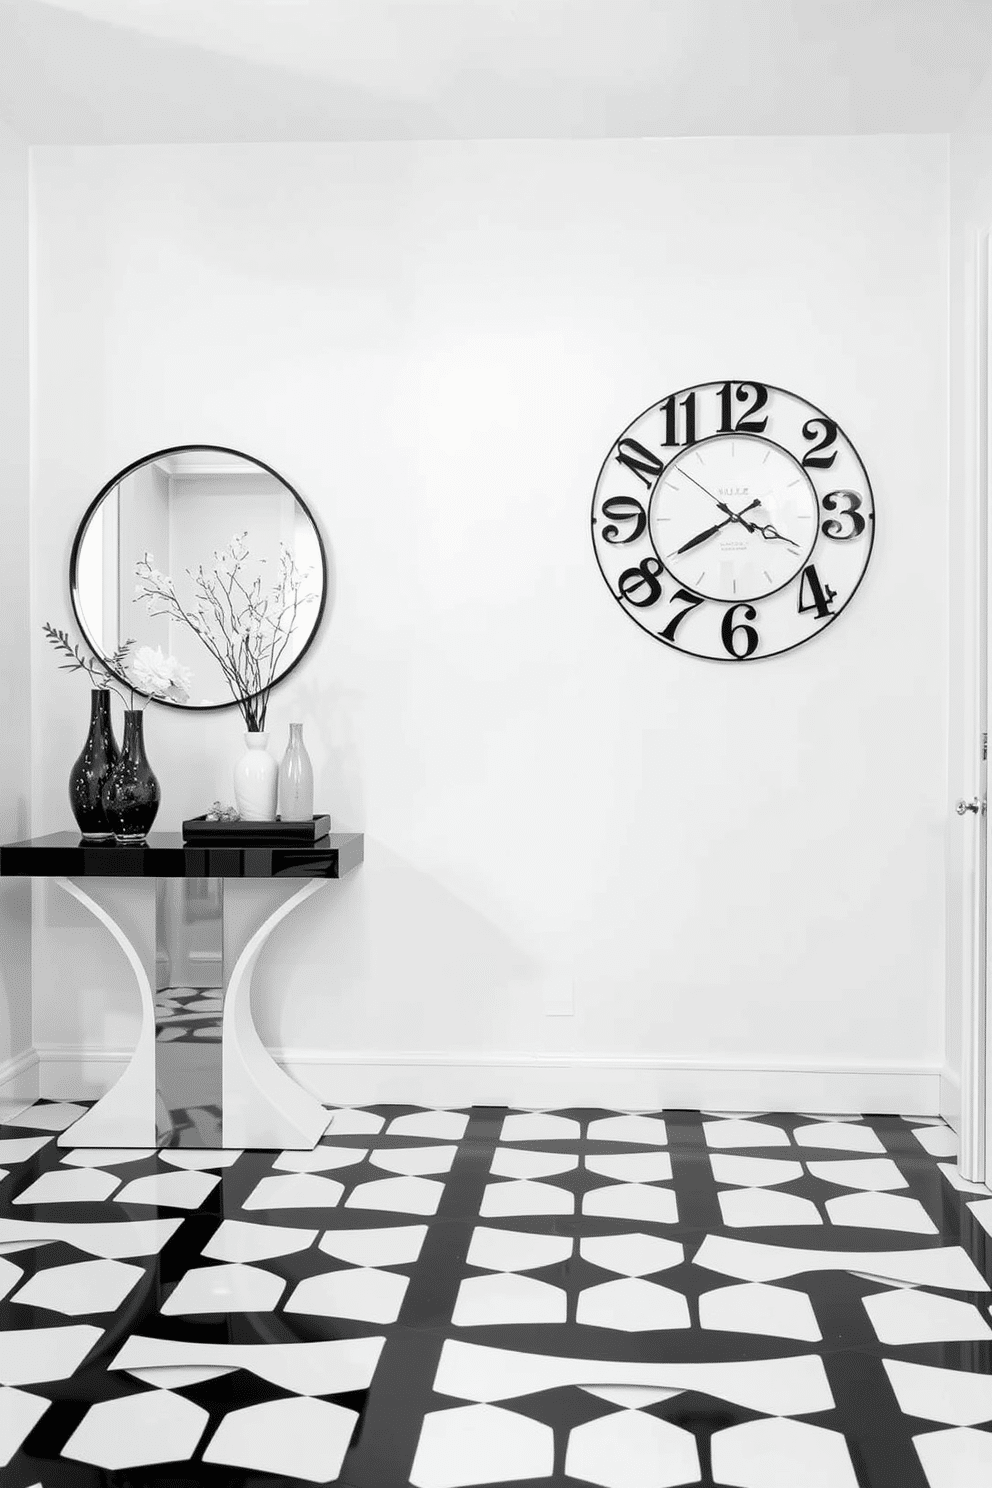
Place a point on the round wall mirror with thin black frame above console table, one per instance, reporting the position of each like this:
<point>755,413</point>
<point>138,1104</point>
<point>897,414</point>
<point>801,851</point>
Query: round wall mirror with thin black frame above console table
<point>209,557</point>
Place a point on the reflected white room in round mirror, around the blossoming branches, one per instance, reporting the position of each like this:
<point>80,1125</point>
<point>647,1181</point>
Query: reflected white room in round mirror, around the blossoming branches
<point>179,510</point>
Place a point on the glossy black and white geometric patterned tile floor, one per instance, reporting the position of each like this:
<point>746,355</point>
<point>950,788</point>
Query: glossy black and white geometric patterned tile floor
<point>489,1297</point>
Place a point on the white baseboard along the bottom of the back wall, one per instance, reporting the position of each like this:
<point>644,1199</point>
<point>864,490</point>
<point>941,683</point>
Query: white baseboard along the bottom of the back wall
<point>551,1081</point>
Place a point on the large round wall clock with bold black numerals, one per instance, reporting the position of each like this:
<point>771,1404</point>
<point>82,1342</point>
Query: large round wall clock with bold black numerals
<point>734,520</point>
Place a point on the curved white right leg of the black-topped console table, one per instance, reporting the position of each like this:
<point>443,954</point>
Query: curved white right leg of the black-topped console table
<point>263,1105</point>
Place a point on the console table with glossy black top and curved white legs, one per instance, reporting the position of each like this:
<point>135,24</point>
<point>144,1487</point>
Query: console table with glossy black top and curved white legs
<point>200,1075</point>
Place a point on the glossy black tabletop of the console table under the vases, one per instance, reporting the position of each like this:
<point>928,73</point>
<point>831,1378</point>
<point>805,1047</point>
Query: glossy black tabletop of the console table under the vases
<point>166,855</point>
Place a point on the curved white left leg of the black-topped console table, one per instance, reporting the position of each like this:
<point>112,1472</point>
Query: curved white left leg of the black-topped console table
<point>126,1115</point>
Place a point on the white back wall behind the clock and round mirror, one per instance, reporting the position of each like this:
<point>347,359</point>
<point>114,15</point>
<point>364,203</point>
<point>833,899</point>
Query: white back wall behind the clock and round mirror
<point>735,867</point>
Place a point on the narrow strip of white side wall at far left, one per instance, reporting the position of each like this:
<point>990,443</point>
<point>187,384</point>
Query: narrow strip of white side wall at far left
<point>16,648</point>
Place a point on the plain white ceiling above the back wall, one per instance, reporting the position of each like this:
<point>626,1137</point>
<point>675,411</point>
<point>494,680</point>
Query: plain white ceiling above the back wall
<point>102,72</point>
